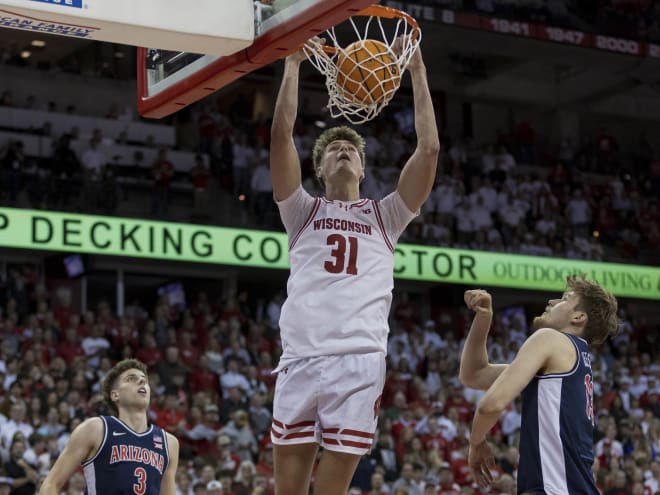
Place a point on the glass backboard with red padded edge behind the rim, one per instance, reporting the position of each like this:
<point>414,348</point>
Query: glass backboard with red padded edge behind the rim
<point>169,80</point>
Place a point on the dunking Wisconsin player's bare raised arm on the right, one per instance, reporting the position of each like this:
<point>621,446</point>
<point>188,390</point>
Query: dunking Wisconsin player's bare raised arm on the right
<point>418,175</point>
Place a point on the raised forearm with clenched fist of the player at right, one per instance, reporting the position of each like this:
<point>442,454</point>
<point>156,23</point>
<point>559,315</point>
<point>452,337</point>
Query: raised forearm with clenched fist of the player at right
<point>475,371</point>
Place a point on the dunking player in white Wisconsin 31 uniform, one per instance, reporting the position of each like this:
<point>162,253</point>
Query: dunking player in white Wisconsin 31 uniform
<point>334,323</point>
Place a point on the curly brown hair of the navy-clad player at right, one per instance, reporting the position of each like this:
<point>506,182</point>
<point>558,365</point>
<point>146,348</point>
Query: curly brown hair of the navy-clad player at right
<point>599,305</point>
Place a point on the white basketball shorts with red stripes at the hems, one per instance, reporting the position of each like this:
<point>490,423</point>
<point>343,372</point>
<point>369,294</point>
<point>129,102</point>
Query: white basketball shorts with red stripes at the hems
<point>330,400</point>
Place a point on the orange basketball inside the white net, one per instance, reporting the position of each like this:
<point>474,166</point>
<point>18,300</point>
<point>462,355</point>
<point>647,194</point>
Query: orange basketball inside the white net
<point>367,72</point>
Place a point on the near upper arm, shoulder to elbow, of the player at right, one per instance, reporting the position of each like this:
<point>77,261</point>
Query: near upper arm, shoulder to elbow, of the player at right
<point>532,357</point>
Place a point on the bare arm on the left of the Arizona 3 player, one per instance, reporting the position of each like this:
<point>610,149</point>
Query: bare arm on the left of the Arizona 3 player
<point>82,445</point>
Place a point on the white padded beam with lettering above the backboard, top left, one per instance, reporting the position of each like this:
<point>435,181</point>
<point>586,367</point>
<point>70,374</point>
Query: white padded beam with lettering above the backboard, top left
<point>168,24</point>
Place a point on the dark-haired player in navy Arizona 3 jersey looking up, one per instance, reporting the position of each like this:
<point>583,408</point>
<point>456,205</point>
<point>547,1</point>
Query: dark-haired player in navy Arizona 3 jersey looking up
<point>121,453</point>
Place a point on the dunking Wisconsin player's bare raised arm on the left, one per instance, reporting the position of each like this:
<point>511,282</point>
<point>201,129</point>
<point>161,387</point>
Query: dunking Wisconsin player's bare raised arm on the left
<point>284,160</point>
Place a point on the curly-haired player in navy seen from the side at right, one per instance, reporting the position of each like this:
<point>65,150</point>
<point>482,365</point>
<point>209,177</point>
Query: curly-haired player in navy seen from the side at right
<point>553,371</point>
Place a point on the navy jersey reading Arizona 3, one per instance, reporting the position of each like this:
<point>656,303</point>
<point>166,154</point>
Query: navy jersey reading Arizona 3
<point>127,462</point>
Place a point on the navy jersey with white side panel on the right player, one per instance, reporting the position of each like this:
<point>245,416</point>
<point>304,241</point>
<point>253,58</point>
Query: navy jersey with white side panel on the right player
<point>556,435</point>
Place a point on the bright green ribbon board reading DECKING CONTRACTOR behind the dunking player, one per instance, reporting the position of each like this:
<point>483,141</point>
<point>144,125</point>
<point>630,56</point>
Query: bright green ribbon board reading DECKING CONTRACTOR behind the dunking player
<point>129,237</point>
